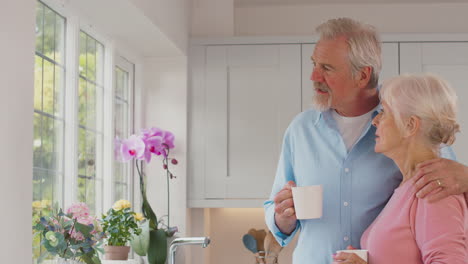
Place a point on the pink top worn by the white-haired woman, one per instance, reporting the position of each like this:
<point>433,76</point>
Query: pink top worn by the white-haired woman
<point>410,230</point>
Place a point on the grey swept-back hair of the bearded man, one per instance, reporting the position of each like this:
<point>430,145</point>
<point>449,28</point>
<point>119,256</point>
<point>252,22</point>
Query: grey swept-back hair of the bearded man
<point>363,44</point>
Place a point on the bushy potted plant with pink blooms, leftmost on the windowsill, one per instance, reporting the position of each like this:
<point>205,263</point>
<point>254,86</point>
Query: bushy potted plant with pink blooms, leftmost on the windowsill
<point>74,236</point>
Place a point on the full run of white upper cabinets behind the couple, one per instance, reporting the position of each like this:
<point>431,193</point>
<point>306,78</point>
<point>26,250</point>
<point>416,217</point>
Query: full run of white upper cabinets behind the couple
<point>243,97</point>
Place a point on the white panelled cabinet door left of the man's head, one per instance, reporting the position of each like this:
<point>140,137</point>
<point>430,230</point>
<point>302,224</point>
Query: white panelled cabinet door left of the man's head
<point>252,92</point>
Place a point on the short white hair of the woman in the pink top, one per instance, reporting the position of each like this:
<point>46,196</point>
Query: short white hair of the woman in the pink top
<point>427,97</point>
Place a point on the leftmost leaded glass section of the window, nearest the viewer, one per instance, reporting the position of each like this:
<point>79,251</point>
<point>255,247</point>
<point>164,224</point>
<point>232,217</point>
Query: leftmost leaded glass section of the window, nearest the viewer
<point>49,91</point>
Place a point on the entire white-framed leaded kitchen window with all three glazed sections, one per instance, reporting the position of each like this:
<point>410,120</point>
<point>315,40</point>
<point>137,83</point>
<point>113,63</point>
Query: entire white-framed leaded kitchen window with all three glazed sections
<point>78,110</point>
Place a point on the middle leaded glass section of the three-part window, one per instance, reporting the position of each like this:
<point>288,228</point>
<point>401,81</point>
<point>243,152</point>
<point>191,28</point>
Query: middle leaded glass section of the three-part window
<point>90,109</point>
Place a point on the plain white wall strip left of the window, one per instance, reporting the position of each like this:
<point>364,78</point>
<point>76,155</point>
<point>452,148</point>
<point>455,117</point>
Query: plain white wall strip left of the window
<point>17,23</point>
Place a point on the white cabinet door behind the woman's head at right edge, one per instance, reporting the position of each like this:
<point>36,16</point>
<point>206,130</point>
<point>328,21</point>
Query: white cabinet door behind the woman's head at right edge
<point>450,61</point>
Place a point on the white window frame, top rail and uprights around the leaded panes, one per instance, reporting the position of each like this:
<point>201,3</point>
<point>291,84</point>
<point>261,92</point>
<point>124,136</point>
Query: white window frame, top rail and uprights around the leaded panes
<point>73,25</point>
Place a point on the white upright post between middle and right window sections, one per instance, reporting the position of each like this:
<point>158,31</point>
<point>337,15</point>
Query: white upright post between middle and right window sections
<point>108,126</point>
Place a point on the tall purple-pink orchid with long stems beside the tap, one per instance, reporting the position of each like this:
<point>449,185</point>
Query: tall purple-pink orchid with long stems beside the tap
<point>141,148</point>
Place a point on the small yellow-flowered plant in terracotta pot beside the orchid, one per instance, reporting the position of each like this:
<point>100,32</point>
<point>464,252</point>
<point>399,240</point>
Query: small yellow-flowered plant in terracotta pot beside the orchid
<point>120,225</point>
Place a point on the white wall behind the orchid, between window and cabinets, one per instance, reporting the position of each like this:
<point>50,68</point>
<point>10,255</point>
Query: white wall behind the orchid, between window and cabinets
<point>164,101</point>
